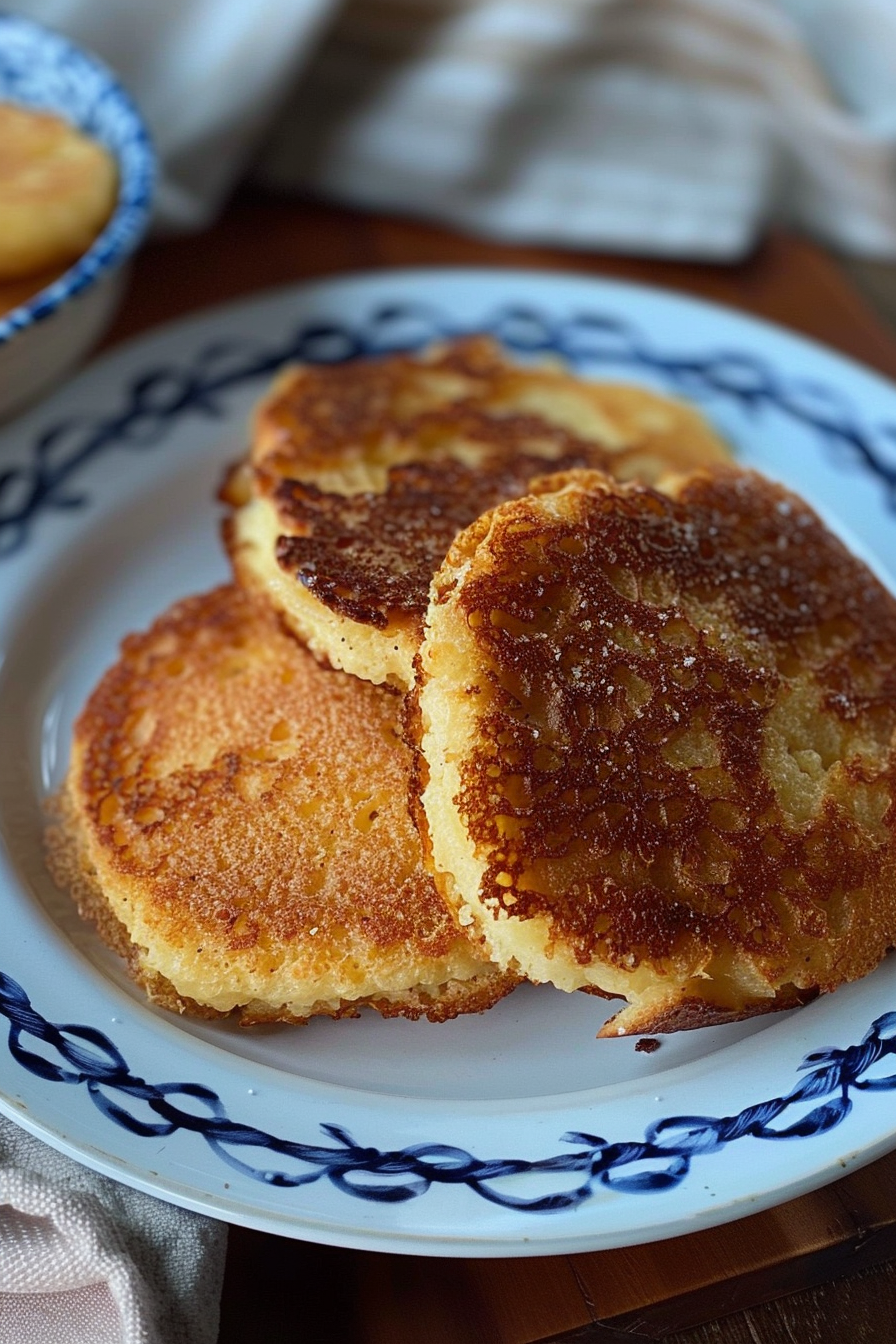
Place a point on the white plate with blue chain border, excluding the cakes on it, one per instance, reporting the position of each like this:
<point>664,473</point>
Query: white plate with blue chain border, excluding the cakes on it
<point>515,1134</point>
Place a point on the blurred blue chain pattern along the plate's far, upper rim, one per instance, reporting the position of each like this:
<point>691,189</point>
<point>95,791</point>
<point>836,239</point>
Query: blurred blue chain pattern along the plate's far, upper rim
<point>156,398</point>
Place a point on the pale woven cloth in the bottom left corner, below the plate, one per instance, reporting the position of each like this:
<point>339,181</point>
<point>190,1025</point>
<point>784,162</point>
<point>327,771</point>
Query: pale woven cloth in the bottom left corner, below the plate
<point>88,1261</point>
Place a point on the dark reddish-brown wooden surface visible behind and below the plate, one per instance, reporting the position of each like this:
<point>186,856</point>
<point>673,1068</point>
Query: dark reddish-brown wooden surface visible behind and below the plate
<point>812,1272</point>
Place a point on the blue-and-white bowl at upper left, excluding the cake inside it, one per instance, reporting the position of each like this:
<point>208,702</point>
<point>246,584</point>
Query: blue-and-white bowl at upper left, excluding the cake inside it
<point>46,337</point>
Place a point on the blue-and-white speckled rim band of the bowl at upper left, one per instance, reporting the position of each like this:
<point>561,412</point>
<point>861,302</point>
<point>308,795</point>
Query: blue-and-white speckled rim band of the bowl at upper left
<point>41,69</point>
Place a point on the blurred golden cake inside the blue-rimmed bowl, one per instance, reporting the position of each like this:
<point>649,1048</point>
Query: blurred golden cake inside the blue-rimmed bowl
<point>57,192</point>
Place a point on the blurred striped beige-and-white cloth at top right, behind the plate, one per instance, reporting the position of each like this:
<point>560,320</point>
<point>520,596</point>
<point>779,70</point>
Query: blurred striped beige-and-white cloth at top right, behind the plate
<point>671,128</point>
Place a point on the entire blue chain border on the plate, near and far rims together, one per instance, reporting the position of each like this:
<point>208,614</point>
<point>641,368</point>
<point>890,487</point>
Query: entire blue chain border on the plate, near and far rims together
<point>154,403</point>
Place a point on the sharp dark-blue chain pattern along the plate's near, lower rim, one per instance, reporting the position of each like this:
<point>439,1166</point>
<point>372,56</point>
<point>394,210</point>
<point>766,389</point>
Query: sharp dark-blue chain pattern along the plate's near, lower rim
<point>88,1057</point>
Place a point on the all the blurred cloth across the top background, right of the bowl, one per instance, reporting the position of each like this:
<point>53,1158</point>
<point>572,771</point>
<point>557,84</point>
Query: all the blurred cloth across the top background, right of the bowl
<point>663,127</point>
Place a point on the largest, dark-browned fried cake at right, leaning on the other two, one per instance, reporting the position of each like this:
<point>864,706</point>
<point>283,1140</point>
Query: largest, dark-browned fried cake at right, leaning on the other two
<point>658,747</point>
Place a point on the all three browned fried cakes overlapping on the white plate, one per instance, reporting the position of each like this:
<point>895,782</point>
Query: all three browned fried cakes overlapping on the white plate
<point>521,678</point>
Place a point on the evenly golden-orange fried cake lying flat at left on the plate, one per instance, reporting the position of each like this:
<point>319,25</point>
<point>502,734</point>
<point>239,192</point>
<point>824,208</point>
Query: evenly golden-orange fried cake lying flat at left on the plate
<point>236,823</point>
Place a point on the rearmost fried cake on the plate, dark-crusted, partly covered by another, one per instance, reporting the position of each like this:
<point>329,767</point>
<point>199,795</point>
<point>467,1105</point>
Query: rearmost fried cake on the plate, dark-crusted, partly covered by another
<point>361,476</point>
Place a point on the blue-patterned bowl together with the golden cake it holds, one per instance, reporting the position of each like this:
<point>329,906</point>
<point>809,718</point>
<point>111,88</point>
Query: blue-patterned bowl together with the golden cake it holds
<point>76,189</point>
